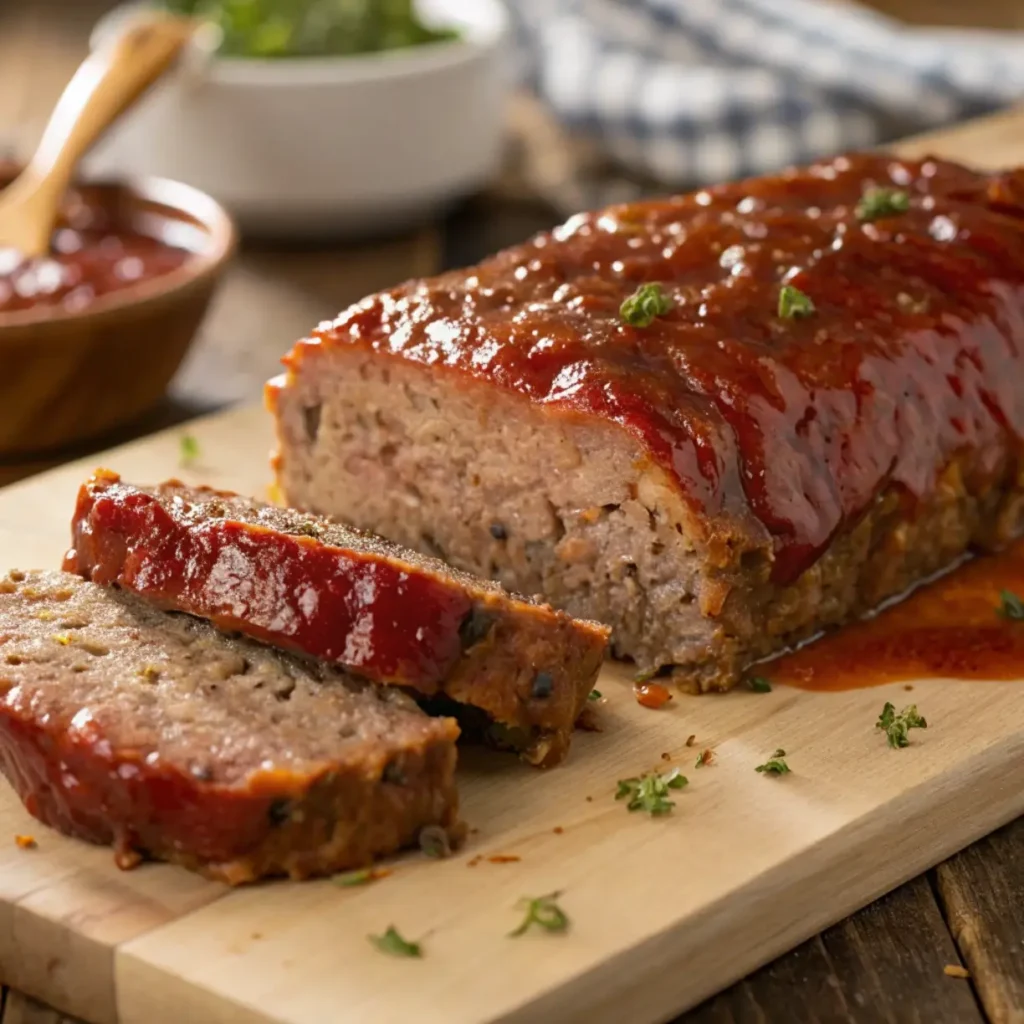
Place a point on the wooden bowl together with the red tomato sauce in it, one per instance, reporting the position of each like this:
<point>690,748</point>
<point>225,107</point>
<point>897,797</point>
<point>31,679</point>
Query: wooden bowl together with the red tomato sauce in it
<point>93,333</point>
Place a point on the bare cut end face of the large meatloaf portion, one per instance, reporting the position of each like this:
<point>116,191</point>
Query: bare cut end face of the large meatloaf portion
<point>543,502</point>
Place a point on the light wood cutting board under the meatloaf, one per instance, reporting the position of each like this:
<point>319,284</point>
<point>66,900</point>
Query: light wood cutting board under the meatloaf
<point>664,911</point>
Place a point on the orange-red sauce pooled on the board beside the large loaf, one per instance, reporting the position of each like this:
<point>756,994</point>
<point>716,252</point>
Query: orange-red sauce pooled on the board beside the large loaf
<point>954,628</point>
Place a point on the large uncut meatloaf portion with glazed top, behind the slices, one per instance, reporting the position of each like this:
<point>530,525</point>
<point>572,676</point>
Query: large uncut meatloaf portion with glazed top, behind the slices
<point>827,407</point>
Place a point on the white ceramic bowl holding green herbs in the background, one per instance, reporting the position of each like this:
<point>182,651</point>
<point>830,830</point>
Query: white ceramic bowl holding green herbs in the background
<point>327,146</point>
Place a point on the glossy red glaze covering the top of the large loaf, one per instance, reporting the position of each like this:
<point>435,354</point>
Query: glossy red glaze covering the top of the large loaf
<point>788,428</point>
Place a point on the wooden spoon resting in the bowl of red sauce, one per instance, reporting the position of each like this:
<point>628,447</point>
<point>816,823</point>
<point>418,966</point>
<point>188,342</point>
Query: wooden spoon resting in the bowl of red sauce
<point>104,88</point>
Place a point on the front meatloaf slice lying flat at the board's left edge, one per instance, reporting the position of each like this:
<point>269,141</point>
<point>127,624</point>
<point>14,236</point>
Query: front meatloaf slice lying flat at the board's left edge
<point>122,724</point>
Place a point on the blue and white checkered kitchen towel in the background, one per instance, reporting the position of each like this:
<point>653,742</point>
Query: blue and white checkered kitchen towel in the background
<point>684,93</point>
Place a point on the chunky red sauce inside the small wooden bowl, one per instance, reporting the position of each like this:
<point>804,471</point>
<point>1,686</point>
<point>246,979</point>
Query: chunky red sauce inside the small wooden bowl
<point>92,255</point>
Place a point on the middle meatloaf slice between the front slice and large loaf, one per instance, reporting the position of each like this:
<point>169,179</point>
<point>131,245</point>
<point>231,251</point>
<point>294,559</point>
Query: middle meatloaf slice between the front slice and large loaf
<point>326,590</point>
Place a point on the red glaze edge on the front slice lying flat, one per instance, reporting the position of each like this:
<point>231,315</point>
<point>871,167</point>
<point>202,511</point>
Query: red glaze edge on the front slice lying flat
<point>74,782</point>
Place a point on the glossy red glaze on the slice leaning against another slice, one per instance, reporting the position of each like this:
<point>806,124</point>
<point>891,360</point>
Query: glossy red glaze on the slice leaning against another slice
<point>388,621</point>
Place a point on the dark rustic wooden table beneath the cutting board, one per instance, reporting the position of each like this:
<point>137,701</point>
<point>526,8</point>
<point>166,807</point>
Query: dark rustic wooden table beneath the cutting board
<point>903,959</point>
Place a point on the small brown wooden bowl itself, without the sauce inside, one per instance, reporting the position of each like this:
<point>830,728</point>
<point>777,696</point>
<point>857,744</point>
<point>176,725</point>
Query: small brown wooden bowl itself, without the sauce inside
<point>68,377</point>
